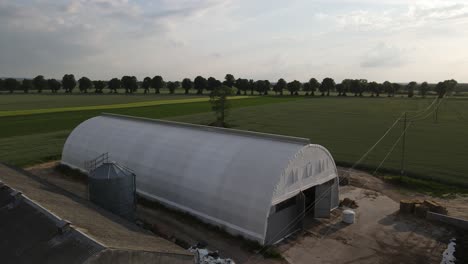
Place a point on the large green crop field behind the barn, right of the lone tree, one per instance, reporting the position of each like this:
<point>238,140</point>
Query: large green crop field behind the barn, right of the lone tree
<point>348,127</point>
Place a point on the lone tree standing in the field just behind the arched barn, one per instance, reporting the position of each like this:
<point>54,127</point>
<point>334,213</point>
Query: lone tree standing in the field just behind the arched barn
<point>220,104</point>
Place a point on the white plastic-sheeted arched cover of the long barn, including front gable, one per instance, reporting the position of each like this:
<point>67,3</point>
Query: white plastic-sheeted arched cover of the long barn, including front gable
<point>226,177</point>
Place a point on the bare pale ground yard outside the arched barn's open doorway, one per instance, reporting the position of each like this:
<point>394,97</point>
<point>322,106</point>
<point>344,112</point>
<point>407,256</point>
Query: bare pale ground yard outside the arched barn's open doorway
<point>380,235</point>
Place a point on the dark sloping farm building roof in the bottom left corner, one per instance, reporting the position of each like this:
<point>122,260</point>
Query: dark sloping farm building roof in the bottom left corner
<point>29,229</point>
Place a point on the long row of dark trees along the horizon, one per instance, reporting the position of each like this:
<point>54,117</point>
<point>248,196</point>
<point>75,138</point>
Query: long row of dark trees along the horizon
<point>130,84</point>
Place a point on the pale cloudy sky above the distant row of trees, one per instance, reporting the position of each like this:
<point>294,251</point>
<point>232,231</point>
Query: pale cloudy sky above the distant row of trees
<point>378,40</point>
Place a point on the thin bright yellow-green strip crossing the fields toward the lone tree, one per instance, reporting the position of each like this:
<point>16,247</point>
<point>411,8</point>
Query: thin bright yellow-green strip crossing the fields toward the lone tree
<point>108,107</point>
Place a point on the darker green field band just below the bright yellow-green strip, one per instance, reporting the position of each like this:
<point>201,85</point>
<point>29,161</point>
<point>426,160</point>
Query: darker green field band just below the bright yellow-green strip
<point>31,139</point>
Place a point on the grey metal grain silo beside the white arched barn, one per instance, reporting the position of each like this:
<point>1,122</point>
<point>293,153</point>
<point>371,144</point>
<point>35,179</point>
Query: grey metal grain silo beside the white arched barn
<point>113,188</point>
